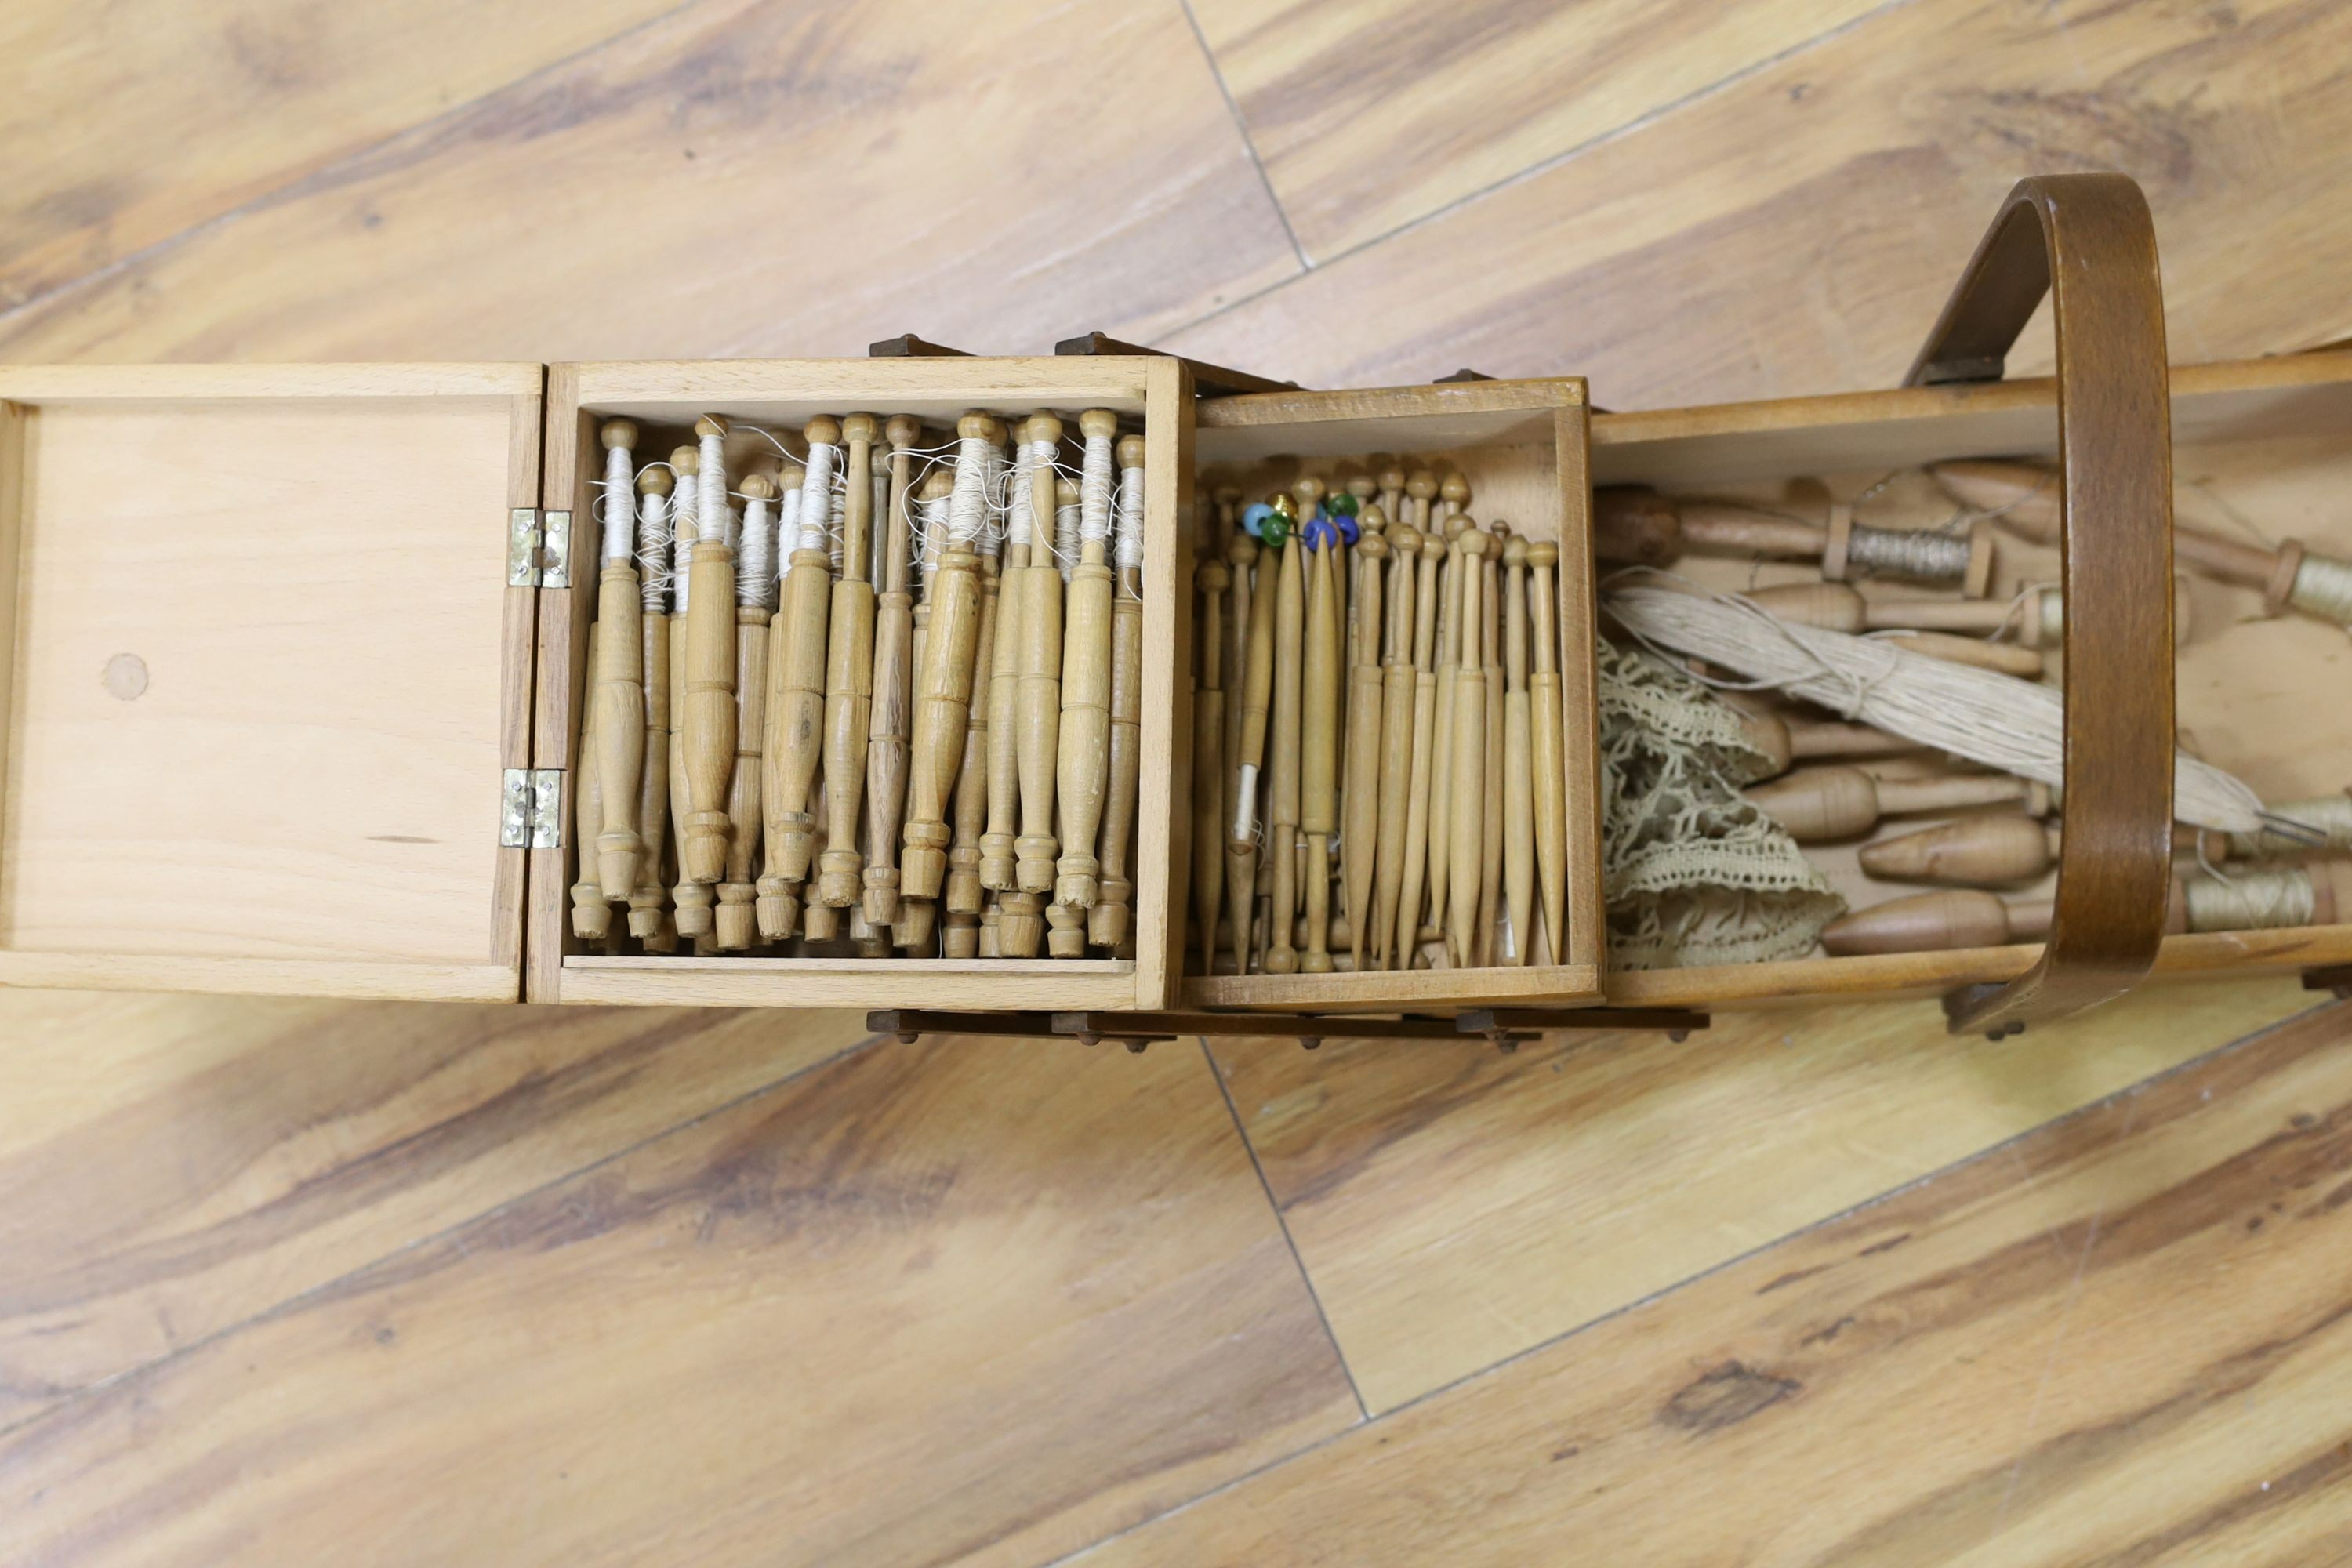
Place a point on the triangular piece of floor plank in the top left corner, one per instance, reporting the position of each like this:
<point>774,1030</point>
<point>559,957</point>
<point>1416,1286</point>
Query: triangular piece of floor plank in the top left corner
<point>156,116</point>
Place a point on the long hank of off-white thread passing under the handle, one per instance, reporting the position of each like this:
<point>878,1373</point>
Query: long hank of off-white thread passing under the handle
<point>1972,713</point>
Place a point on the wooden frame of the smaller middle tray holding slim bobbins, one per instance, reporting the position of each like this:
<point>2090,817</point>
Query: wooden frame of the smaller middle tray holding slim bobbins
<point>1523,450</point>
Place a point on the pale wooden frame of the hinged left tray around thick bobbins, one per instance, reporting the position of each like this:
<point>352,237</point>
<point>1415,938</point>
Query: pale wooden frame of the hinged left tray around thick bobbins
<point>667,398</point>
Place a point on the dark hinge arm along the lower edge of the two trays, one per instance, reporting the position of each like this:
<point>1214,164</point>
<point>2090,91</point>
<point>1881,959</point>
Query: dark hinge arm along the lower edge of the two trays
<point>1504,1028</point>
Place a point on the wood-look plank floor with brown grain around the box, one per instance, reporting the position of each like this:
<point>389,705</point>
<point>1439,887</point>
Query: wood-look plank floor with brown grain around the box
<point>293,1282</point>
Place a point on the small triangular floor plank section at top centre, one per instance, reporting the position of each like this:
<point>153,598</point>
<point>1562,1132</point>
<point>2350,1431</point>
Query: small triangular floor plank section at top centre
<point>1377,114</point>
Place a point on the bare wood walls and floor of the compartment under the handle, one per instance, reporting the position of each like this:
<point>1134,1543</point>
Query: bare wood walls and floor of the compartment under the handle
<point>2264,443</point>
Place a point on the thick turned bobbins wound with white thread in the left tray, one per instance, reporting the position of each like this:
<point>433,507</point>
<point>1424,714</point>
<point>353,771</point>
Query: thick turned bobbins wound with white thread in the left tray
<point>801,690</point>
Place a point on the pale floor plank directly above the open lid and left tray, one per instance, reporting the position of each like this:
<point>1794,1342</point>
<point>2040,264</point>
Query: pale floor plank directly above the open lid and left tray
<point>688,135</point>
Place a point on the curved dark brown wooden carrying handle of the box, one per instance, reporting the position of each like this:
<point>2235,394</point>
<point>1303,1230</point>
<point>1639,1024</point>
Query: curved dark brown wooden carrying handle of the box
<point>2087,243</point>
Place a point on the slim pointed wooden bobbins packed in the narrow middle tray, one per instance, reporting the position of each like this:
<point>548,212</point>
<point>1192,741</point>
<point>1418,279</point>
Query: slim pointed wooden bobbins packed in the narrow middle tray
<point>1379,775</point>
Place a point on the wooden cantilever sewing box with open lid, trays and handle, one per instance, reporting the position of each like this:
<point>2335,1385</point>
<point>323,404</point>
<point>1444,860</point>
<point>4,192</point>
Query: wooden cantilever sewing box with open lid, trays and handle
<point>295,655</point>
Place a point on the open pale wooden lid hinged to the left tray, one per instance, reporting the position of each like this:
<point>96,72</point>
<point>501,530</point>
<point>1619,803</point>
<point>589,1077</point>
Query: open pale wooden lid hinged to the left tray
<point>265,676</point>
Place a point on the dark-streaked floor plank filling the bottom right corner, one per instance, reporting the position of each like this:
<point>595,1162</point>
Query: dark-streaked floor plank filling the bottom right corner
<point>2118,1341</point>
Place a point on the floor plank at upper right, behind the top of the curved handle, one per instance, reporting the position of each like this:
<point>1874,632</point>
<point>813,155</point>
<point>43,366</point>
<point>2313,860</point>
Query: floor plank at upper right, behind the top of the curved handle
<point>1798,229</point>
